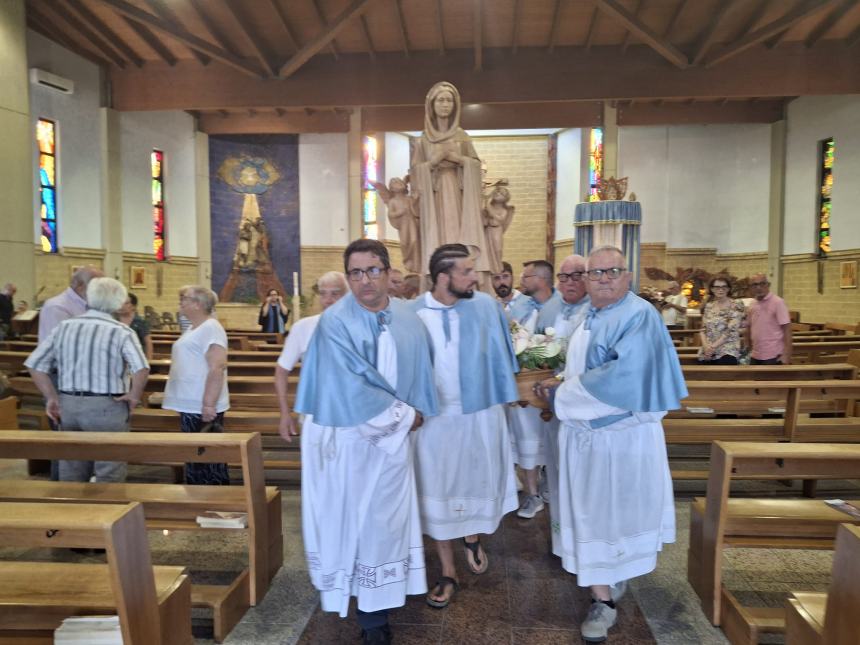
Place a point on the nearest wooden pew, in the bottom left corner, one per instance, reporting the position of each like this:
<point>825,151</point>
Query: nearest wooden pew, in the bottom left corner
<point>153,603</point>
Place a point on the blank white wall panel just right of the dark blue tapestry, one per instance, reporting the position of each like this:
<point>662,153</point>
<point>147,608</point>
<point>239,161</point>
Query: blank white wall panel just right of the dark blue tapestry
<point>323,189</point>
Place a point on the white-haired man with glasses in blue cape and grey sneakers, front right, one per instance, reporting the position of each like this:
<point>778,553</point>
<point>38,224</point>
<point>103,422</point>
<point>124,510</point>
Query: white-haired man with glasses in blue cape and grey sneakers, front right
<point>616,507</point>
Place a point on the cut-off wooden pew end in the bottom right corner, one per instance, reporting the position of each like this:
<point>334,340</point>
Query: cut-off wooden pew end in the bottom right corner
<point>830,618</point>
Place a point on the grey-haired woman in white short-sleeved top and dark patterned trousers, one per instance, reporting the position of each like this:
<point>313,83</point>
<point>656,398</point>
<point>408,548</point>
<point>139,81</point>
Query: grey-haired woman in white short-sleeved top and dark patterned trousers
<point>197,385</point>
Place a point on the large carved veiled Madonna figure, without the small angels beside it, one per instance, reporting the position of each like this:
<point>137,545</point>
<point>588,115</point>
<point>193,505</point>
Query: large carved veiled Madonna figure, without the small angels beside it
<point>446,173</point>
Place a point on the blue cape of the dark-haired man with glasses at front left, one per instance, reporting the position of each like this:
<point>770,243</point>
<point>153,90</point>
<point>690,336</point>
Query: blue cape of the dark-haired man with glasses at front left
<point>340,385</point>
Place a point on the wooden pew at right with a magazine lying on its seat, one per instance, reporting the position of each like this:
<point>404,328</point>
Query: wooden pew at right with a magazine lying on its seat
<point>718,523</point>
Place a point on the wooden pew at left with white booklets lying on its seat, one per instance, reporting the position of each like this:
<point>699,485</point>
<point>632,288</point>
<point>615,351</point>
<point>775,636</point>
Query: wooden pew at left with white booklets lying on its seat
<point>169,506</point>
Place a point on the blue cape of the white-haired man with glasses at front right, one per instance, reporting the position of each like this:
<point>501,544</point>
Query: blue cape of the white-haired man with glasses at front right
<point>631,362</point>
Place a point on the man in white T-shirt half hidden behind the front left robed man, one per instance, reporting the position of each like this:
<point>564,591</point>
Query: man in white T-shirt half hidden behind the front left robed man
<point>331,287</point>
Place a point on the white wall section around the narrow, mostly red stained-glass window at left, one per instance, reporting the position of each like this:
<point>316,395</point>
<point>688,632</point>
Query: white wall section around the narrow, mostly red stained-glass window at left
<point>172,133</point>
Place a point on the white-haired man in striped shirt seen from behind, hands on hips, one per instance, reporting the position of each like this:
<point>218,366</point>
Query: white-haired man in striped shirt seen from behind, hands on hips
<point>92,353</point>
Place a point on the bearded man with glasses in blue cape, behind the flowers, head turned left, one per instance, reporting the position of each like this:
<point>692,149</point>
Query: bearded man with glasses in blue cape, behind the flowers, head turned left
<point>535,310</point>
